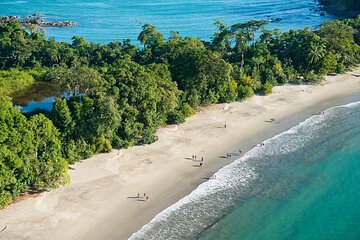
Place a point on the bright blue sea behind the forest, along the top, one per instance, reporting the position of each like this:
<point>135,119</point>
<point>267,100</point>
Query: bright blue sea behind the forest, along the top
<point>115,20</point>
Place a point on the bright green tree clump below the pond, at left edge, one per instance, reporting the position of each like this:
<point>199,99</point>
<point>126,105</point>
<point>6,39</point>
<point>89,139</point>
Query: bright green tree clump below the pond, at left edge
<point>30,153</point>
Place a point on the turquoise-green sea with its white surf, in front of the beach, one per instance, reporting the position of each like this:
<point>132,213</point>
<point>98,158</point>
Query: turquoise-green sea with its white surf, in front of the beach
<point>304,184</point>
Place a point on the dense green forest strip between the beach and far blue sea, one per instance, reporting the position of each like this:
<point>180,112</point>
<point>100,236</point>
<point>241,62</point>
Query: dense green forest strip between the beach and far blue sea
<point>120,93</point>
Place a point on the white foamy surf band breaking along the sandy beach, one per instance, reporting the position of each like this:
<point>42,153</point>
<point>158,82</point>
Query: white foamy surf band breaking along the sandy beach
<point>190,211</point>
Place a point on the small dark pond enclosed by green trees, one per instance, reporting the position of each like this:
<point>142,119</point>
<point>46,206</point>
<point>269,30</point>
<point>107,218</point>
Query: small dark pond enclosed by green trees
<point>40,95</point>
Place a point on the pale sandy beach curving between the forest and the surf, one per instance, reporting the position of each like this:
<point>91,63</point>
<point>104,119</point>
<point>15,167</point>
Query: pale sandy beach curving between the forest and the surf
<point>102,203</point>
